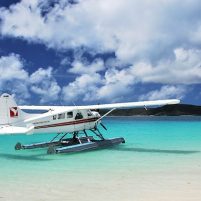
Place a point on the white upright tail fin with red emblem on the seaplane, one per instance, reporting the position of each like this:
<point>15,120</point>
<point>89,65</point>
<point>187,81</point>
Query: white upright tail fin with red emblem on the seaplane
<point>9,112</point>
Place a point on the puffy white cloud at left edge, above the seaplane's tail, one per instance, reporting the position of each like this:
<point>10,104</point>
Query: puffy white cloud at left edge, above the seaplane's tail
<point>16,80</point>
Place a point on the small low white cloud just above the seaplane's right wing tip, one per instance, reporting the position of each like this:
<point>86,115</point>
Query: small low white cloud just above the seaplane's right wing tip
<point>165,92</point>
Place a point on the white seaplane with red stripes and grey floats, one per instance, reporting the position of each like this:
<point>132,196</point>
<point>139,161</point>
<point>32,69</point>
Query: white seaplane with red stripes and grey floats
<point>76,128</point>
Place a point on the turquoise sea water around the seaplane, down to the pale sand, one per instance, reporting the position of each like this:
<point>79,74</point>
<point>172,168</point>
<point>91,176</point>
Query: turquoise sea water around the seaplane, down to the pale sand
<point>152,144</point>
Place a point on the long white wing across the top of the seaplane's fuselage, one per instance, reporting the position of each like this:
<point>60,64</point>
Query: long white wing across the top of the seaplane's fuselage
<point>54,110</point>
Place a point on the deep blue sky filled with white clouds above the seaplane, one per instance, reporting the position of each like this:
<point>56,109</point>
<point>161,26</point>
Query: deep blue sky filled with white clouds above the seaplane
<point>79,52</point>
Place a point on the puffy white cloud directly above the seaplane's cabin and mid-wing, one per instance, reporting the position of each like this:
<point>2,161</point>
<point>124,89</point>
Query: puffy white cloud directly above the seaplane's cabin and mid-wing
<point>94,87</point>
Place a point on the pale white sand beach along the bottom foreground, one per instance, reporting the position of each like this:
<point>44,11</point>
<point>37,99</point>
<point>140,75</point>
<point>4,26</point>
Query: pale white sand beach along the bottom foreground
<point>181,184</point>
